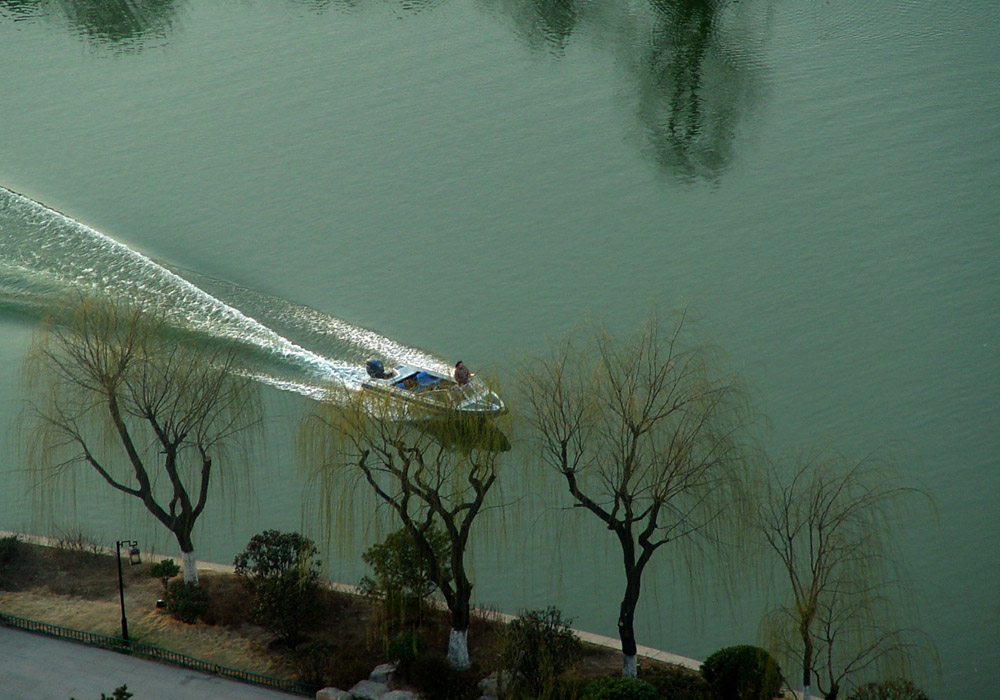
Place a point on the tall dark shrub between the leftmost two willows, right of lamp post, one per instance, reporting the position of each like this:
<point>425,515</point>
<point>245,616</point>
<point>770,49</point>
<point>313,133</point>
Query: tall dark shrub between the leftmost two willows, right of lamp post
<point>282,572</point>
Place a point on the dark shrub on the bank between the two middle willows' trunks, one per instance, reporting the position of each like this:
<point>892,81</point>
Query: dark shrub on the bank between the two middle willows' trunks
<point>536,647</point>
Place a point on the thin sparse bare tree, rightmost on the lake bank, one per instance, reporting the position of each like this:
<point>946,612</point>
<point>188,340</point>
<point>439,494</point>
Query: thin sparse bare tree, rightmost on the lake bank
<point>830,524</point>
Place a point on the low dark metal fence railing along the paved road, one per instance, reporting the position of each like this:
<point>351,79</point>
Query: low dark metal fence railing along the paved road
<point>148,651</point>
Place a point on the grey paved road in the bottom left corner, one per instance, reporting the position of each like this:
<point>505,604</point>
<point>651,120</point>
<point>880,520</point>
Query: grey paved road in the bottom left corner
<point>36,667</point>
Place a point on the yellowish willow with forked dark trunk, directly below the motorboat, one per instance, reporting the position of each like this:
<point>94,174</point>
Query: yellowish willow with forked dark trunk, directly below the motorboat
<point>434,472</point>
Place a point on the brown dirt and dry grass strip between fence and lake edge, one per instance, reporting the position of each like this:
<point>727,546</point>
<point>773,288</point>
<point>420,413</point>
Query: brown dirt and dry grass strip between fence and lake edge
<point>76,586</point>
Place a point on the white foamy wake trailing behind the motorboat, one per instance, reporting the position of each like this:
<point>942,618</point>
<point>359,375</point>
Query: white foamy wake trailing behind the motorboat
<point>44,255</point>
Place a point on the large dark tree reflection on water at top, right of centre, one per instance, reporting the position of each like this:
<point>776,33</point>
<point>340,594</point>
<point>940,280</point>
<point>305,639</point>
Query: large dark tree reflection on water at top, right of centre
<point>688,70</point>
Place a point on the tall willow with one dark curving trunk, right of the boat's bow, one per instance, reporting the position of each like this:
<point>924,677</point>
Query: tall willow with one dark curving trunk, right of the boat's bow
<point>647,431</point>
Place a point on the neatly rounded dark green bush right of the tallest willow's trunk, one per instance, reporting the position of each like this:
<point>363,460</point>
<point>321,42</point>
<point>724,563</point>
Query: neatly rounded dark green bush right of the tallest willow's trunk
<point>743,672</point>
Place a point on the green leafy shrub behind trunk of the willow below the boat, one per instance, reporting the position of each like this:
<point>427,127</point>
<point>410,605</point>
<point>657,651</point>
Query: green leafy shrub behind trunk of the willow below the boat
<point>402,577</point>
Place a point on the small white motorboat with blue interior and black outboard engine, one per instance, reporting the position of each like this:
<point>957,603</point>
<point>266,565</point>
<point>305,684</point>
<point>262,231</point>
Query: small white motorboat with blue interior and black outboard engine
<point>432,389</point>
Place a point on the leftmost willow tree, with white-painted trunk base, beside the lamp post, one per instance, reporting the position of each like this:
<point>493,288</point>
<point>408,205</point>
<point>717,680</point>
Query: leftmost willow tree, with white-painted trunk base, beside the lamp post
<point>115,389</point>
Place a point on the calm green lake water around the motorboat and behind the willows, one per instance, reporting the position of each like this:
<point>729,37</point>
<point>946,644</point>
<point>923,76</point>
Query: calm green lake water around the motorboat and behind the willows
<point>425,179</point>
